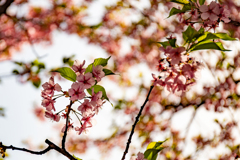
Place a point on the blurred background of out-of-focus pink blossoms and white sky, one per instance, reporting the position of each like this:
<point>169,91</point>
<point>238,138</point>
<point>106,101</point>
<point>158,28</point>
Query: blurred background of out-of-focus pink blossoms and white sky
<point>39,35</point>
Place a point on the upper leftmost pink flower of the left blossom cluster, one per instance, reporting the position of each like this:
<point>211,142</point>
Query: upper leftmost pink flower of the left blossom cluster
<point>49,87</point>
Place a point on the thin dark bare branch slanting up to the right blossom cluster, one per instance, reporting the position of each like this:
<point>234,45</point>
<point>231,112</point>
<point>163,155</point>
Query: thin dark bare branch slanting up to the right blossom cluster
<point>135,123</point>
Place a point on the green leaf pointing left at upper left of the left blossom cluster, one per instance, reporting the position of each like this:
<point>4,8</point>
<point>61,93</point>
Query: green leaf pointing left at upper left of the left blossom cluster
<point>67,73</point>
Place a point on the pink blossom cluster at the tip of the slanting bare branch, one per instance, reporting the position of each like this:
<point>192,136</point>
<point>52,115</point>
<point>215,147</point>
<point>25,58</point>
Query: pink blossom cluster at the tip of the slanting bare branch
<point>178,71</point>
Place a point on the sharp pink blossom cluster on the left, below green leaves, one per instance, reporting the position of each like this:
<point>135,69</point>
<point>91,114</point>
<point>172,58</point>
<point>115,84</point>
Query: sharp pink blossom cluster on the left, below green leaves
<point>90,105</point>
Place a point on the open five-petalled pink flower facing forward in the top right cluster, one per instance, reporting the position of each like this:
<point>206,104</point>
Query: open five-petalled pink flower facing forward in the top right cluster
<point>210,12</point>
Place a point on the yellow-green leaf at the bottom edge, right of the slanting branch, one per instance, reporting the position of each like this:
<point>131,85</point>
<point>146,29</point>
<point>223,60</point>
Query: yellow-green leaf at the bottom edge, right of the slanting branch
<point>152,150</point>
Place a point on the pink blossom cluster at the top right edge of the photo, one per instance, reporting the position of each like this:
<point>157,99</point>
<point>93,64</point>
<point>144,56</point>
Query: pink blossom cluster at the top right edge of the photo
<point>209,15</point>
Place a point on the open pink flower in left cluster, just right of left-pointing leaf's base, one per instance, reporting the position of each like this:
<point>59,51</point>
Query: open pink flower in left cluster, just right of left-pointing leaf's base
<point>86,80</point>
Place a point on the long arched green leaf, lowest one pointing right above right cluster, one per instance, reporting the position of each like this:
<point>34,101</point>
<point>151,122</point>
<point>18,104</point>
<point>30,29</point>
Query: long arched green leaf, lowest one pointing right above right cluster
<point>208,45</point>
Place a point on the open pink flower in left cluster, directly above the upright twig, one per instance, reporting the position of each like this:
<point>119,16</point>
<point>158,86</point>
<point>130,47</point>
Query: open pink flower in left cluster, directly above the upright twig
<point>76,91</point>
